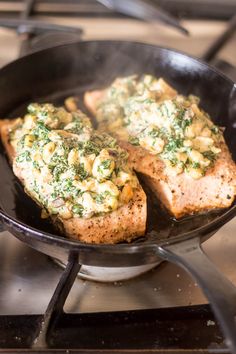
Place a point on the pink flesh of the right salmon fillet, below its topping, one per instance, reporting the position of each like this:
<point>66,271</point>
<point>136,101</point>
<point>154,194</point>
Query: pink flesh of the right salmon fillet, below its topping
<point>180,194</point>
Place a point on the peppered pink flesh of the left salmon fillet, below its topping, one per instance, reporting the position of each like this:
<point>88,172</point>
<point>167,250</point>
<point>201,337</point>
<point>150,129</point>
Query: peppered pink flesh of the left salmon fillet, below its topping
<point>124,224</point>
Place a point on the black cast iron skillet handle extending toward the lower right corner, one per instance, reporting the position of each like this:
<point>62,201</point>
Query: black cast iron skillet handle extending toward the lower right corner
<point>220,292</point>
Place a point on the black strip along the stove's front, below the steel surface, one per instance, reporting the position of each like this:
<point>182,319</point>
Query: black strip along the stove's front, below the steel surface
<point>163,329</point>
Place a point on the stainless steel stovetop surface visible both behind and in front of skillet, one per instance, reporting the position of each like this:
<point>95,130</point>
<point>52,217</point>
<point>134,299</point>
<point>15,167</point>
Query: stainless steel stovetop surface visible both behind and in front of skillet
<point>28,278</point>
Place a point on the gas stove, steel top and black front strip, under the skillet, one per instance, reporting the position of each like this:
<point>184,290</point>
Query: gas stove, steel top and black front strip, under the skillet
<point>160,310</point>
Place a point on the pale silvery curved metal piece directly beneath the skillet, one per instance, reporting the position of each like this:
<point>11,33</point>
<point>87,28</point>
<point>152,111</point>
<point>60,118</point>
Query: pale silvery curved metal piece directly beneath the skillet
<point>110,274</point>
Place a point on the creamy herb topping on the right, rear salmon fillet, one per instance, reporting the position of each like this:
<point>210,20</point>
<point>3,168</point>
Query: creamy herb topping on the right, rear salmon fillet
<point>150,113</point>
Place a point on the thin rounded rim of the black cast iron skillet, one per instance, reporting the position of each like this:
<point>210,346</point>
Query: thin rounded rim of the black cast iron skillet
<point>47,237</point>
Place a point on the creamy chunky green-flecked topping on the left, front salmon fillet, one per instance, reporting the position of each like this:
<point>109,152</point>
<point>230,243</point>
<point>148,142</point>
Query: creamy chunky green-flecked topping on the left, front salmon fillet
<point>67,167</point>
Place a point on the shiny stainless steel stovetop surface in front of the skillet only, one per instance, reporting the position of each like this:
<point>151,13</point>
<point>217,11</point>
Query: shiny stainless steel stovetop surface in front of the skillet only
<point>28,279</point>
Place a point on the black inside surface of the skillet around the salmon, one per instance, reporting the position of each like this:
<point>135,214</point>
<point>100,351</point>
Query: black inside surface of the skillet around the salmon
<point>54,74</point>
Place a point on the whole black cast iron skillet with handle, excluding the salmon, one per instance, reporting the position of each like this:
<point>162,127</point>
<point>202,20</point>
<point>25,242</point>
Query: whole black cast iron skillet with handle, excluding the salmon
<point>53,74</point>
